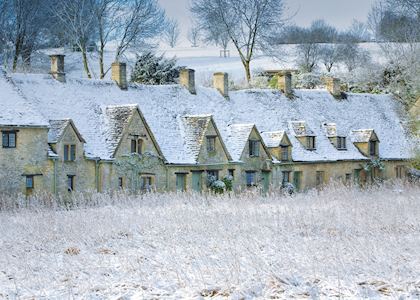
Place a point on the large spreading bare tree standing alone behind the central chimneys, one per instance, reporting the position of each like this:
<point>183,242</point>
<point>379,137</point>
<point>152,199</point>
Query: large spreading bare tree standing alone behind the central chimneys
<point>246,22</point>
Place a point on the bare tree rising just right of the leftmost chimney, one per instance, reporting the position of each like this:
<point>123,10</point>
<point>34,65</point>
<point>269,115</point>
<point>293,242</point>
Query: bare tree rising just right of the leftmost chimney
<point>78,19</point>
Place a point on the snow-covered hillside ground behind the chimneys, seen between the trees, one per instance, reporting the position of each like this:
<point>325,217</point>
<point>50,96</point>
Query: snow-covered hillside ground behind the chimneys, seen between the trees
<point>205,60</point>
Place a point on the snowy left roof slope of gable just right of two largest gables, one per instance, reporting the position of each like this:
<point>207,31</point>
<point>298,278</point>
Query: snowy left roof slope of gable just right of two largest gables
<point>238,135</point>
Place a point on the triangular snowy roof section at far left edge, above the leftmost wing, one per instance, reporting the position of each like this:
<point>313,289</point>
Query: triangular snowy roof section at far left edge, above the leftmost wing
<point>15,110</point>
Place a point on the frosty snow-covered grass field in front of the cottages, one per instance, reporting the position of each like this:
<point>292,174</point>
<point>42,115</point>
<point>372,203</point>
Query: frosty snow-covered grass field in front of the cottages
<point>339,243</point>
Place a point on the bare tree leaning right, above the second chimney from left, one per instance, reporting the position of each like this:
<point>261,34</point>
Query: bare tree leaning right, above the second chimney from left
<point>141,20</point>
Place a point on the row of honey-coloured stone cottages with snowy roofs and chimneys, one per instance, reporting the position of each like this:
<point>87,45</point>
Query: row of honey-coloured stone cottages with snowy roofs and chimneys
<point>61,135</point>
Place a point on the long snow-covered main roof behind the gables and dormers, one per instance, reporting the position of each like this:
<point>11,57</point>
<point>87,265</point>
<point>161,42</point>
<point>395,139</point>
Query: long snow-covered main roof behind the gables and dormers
<point>164,106</point>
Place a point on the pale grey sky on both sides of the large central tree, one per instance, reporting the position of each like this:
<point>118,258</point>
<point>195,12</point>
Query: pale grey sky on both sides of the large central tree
<point>339,13</point>
